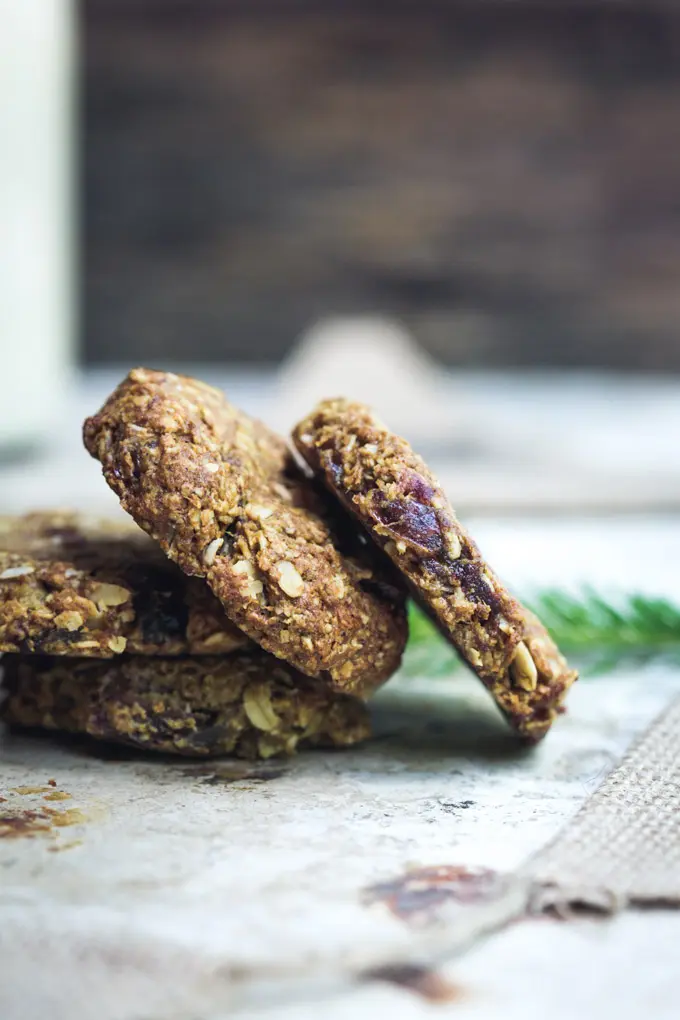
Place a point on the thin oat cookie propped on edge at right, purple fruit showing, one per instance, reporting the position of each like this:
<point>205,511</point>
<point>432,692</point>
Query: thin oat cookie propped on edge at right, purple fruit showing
<point>379,478</point>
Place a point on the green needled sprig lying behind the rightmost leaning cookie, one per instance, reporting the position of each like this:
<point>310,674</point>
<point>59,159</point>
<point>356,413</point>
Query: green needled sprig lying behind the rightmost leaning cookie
<point>600,635</point>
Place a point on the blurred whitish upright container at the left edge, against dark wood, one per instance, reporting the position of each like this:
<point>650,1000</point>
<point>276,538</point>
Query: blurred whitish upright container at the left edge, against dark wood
<point>37,230</point>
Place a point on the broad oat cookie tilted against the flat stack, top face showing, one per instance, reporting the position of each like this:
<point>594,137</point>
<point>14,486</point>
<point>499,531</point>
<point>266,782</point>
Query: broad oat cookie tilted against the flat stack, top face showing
<point>222,495</point>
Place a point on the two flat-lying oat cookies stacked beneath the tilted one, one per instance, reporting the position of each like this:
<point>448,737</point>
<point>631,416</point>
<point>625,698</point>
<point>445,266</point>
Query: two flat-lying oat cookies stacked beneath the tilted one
<point>108,638</point>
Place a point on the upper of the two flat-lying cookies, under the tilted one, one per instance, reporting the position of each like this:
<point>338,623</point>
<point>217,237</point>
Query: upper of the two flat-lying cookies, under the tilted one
<point>80,586</point>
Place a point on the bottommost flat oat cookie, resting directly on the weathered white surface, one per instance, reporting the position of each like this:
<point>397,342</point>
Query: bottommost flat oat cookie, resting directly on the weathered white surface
<point>246,704</point>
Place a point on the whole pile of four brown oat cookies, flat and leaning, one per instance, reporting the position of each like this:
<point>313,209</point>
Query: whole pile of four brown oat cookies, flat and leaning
<point>267,601</point>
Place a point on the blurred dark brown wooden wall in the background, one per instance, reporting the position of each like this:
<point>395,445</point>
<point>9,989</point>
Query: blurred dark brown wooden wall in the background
<point>504,177</point>
